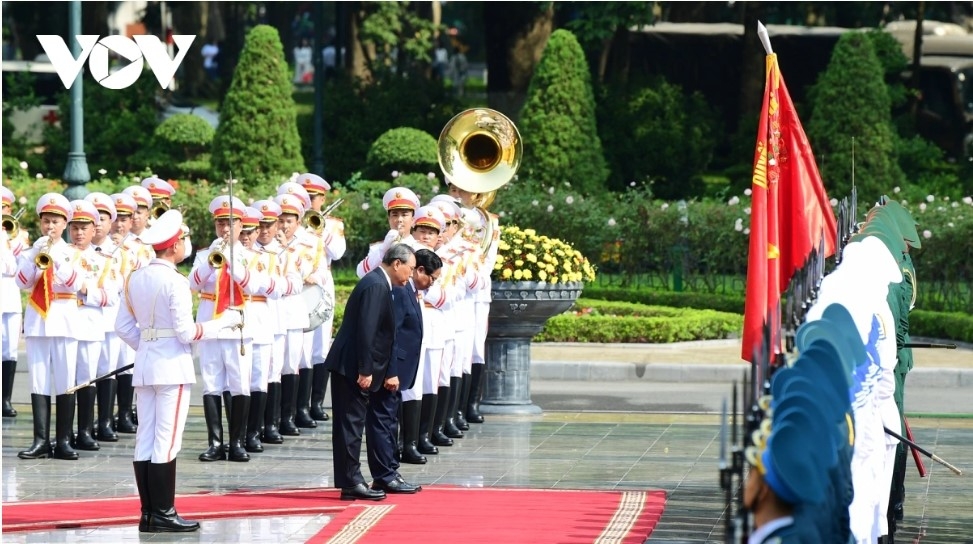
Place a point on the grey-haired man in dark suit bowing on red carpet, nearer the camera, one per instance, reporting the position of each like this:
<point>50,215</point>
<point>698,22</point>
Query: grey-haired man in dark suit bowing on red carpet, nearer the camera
<point>359,363</point>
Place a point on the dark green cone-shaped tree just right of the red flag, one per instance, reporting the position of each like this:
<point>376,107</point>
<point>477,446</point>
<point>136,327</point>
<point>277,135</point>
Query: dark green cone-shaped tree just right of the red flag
<point>851,122</point>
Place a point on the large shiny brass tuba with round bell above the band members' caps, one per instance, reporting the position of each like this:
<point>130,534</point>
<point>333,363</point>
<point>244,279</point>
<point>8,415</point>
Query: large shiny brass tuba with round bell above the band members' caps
<point>480,151</point>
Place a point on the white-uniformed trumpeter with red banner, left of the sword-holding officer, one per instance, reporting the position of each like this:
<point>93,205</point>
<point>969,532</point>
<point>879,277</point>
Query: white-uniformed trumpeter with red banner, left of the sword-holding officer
<point>48,272</point>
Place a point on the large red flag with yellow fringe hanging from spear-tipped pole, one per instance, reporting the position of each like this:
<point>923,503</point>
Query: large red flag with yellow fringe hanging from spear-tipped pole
<point>790,211</point>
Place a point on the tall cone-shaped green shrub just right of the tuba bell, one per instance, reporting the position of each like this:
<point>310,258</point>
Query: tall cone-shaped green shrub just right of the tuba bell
<point>557,123</point>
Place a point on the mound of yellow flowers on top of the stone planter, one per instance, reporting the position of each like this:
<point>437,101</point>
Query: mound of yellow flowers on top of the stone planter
<point>522,255</point>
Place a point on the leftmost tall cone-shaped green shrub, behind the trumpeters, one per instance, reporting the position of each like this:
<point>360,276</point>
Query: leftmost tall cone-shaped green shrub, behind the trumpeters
<point>257,136</point>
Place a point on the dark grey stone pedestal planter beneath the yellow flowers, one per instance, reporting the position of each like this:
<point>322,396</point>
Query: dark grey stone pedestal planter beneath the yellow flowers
<point>518,312</point>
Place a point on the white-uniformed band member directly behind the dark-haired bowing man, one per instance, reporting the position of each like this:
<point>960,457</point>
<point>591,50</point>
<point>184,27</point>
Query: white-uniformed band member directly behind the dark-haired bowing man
<point>427,226</point>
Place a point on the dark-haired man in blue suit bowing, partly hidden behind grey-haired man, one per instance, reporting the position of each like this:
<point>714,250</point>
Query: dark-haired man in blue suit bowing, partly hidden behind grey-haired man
<point>408,348</point>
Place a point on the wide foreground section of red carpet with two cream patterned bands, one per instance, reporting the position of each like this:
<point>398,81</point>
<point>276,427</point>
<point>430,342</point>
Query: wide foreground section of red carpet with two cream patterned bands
<point>506,516</point>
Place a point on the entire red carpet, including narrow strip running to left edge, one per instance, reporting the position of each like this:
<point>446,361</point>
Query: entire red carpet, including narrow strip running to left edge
<point>436,514</point>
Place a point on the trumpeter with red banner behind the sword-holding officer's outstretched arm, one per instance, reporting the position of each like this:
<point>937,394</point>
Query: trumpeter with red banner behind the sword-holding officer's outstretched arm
<point>223,279</point>
